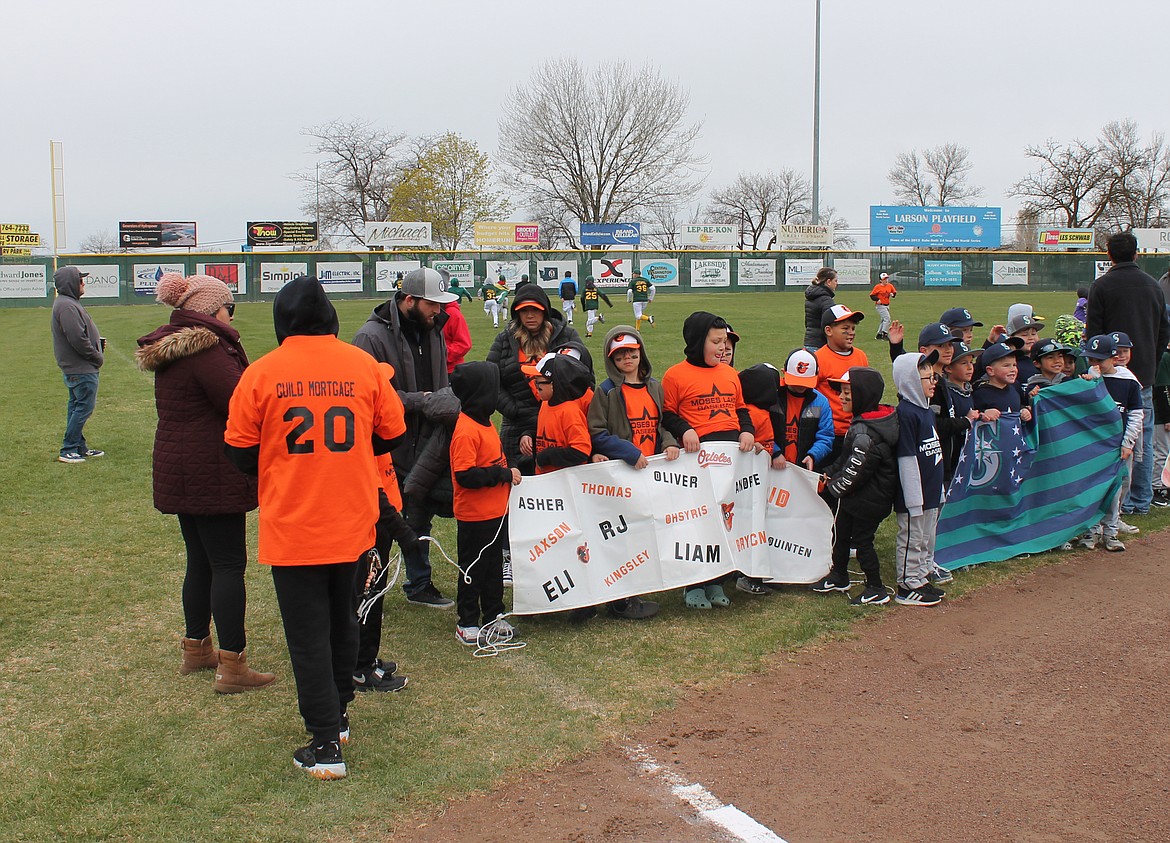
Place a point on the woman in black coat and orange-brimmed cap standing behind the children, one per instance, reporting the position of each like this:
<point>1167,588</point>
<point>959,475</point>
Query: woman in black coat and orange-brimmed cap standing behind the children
<point>534,330</point>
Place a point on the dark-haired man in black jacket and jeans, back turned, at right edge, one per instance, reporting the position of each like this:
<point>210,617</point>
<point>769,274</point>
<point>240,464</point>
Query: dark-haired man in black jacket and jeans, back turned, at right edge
<point>1128,300</point>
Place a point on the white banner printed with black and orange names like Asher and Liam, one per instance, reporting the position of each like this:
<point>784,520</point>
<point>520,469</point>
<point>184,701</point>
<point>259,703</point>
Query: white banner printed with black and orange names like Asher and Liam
<point>594,534</point>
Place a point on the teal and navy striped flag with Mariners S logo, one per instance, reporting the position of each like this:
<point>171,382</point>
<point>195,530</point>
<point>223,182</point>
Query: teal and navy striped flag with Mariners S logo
<point>1028,488</point>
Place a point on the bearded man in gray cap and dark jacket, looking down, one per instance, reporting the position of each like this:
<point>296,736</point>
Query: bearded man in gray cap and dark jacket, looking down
<point>407,333</point>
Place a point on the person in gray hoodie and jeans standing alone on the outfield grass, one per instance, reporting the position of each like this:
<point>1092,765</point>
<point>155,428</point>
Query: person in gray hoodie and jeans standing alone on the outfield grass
<point>79,350</point>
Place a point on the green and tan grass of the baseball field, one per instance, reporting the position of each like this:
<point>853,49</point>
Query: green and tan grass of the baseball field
<point>106,742</point>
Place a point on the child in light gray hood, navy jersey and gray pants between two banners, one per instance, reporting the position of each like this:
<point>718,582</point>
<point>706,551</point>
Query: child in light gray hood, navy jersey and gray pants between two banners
<point>920,469</point>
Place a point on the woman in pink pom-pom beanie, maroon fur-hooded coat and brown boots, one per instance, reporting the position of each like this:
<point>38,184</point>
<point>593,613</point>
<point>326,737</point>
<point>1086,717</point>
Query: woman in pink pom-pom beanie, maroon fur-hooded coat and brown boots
<point>197,361</point>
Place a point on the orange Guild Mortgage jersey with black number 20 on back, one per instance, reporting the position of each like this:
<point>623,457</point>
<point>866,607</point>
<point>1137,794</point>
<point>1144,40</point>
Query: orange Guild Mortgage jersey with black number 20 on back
<point>313,406</point>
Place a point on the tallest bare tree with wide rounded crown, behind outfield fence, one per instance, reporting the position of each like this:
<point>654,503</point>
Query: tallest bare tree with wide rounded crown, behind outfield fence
<point>598,148</point>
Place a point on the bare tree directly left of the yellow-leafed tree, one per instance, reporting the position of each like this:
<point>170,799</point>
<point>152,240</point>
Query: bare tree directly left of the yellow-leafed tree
<point>360,178</point>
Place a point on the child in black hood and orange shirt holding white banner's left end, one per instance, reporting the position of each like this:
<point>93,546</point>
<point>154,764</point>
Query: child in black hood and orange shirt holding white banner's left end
<point>481,479</point>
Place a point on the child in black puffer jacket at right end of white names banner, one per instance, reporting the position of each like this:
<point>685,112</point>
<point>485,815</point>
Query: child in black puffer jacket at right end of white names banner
<point>864,482</point>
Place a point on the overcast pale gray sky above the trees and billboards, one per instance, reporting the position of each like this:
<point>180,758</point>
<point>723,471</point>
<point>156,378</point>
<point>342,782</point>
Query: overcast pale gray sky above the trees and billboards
<point>195,112</point>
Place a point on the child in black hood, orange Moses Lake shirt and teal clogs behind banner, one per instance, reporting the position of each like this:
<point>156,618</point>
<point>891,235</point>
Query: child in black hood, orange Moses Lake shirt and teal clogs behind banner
<point>704,403</point>
